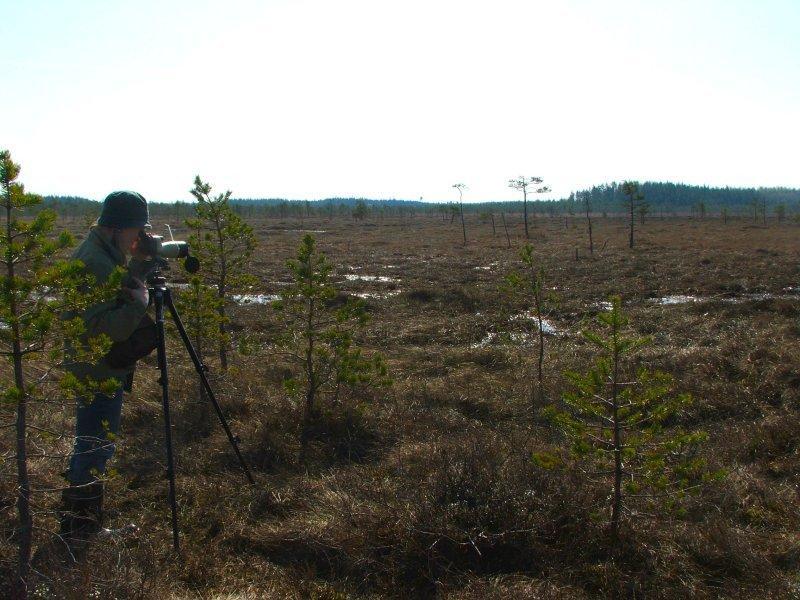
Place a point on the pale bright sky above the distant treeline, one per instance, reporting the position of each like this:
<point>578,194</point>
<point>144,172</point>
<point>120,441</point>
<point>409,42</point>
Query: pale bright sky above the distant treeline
<point>309,99</point>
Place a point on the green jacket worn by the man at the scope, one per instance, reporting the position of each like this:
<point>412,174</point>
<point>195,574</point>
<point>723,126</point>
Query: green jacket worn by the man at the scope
<point>118,318</point>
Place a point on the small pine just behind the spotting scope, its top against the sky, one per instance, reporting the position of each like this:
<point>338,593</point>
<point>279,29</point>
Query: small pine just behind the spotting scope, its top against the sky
<point>224,243</point>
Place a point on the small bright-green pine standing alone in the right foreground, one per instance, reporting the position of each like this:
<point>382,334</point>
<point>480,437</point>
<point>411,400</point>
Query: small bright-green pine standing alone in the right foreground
<point>616,422</point>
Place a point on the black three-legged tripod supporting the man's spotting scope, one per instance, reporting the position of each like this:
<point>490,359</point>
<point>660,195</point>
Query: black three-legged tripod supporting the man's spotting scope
<point>163,297</point>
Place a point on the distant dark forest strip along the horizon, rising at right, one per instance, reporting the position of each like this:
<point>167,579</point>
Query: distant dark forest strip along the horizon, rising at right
<point>661,198</point>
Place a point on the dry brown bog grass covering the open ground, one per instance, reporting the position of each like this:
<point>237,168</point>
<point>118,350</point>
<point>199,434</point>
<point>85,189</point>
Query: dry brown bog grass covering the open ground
<point>427,488</point>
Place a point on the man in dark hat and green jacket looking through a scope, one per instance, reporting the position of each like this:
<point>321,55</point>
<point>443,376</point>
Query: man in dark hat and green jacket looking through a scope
<point>124,320</point>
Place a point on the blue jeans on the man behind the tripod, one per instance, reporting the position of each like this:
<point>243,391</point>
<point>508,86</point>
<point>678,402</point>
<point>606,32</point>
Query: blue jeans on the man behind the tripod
<point>96,426</point>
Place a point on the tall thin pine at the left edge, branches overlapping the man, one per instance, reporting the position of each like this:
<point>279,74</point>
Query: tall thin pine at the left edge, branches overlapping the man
<point>35,290</point>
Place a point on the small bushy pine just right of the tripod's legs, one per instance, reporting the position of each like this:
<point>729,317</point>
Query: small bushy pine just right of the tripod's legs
<point>319,338</point>
